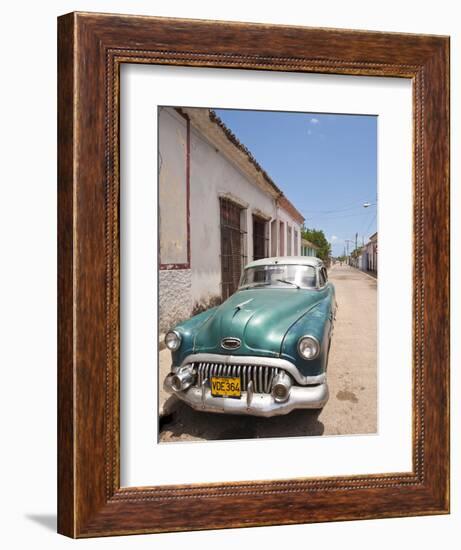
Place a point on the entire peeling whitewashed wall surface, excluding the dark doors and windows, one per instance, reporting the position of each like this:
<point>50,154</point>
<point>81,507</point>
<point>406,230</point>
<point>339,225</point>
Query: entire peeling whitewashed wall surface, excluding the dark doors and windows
<point>186,289</point>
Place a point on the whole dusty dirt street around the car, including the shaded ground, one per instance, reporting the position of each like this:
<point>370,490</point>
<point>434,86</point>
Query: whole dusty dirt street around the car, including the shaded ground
<point>352,379</point>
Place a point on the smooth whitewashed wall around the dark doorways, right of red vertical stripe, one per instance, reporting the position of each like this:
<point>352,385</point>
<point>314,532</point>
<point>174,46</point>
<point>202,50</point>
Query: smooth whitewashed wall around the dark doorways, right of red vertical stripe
<point>213,175</point>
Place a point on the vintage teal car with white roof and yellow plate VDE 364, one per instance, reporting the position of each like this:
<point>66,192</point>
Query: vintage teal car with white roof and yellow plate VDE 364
<point>264,351</point>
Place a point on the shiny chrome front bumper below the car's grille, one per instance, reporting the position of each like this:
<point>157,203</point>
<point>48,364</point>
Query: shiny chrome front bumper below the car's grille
<point>256,404</point>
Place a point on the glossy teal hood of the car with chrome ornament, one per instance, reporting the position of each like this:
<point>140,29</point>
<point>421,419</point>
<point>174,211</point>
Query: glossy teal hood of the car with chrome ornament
<point>258,317</point>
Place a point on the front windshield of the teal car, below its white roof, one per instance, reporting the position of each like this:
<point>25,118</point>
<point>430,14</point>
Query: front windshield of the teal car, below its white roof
<point>279,275</point>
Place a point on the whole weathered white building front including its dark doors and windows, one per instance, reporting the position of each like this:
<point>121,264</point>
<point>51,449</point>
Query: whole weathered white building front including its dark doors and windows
<point>218,210</point>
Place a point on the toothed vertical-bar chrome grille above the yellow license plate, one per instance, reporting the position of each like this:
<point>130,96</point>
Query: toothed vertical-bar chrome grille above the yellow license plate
<point>261,376</point>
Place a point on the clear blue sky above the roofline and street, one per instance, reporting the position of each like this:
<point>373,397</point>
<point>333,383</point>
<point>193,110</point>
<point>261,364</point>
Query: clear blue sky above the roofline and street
<point>324,163</point>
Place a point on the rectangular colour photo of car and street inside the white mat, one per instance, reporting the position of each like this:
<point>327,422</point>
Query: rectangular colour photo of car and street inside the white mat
<point>267,274</point>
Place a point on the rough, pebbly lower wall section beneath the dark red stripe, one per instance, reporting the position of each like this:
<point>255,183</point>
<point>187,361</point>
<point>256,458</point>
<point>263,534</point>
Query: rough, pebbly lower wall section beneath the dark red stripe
<point>175,297</point>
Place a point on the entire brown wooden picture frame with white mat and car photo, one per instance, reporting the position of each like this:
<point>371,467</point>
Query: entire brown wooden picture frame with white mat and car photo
<point>253,275</point>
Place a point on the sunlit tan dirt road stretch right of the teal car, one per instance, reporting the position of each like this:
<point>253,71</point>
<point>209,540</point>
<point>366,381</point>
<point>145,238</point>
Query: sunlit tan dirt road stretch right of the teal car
<point>352,369</point>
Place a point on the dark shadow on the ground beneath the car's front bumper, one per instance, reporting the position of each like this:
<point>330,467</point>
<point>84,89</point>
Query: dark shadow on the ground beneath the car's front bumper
<point>184,424</point>
